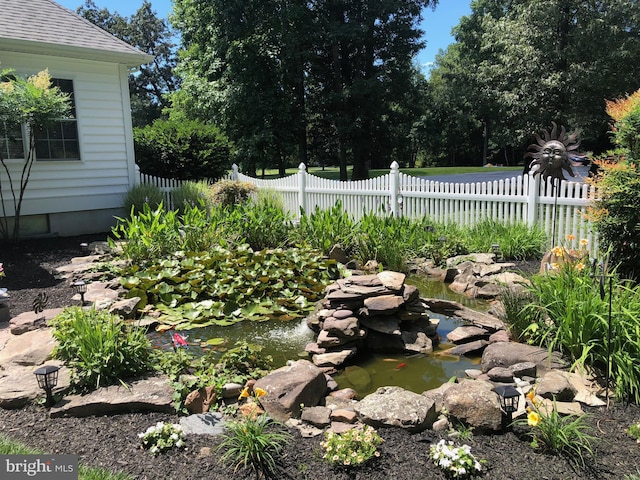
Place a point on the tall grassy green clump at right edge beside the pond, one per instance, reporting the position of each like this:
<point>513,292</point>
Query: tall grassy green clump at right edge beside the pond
<point>569,315</point>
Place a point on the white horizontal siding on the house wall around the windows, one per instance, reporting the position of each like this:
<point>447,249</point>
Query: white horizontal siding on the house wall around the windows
<point>105,171</point>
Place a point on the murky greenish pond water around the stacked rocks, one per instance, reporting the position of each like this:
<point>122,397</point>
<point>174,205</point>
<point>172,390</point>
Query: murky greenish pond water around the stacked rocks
<point>287,340</point>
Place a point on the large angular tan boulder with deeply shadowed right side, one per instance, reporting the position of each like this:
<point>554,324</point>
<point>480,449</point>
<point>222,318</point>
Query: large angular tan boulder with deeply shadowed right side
<point>289,387</point>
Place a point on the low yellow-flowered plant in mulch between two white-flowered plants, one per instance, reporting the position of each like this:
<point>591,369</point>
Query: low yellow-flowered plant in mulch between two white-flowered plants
<point>351,448</point>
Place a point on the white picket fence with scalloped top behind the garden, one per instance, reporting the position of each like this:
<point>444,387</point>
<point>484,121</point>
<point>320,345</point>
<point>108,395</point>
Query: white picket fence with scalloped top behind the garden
<point>522,199</point>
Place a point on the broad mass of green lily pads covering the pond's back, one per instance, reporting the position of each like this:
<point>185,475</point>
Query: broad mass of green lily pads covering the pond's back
<point>223,286</point>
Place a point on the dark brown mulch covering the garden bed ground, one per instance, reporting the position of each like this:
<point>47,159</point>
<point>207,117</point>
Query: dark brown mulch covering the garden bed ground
<point>112,441</point>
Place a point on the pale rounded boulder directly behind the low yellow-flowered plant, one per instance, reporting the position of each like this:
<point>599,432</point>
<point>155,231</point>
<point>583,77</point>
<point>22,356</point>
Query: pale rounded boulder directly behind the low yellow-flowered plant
<point>396,407</point>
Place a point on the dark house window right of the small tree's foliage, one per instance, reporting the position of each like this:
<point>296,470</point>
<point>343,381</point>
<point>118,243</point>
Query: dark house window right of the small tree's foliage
<point>60,140</point>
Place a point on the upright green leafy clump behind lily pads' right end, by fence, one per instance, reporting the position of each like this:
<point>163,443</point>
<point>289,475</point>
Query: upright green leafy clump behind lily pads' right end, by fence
<point>322,229</point>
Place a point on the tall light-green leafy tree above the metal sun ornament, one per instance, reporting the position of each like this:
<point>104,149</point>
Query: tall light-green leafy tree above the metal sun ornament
<point>531,62</point>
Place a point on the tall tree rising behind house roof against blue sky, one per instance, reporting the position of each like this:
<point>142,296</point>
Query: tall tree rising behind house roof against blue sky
<point>152,82</point>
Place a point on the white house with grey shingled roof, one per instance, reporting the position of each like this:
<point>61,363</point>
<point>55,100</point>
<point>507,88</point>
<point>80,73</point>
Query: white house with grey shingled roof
<point>84,166</point>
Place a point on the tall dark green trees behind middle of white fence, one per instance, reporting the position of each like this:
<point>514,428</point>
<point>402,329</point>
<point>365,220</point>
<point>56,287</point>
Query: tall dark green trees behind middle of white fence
<point>281,71</point>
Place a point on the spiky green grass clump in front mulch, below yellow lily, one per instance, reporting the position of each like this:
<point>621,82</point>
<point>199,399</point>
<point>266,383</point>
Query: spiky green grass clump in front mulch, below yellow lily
<point>253,443</point>
